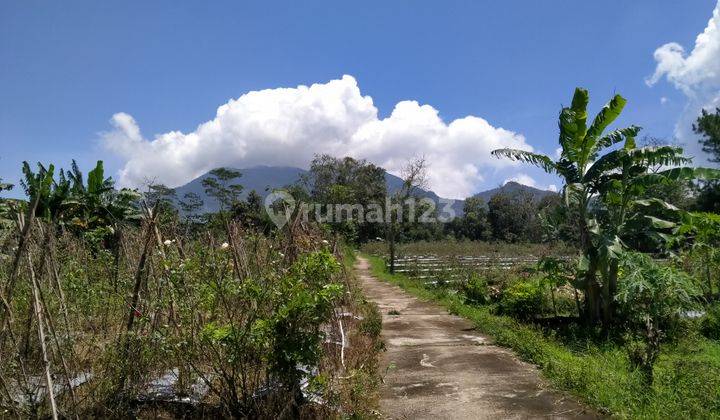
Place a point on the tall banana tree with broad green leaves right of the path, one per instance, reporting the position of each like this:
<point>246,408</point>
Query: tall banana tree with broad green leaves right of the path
<point>612,182</point>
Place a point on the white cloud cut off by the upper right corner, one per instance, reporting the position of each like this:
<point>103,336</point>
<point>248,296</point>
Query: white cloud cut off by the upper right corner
<point>697,75</point>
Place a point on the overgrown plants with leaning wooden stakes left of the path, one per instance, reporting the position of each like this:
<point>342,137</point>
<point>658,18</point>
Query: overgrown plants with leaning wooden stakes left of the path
<point>116,305</point>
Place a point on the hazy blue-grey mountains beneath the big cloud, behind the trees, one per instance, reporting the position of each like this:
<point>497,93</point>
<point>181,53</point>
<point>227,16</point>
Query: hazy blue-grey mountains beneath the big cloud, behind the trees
<point>264,179</point>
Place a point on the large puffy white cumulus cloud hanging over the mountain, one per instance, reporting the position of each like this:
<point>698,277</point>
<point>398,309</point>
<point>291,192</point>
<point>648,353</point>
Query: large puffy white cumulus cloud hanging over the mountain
<point>288,126</point>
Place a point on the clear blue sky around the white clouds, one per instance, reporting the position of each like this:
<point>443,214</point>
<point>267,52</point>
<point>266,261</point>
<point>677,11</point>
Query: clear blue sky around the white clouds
<point>67,67</point>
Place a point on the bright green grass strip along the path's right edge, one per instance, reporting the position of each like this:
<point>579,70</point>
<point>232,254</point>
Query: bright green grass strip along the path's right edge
<point>687,383</point>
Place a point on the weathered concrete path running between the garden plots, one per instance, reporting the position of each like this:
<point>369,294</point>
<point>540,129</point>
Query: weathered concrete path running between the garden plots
<point>438,367</point>
